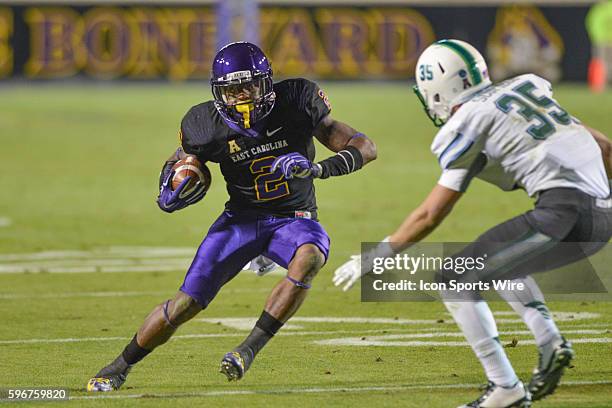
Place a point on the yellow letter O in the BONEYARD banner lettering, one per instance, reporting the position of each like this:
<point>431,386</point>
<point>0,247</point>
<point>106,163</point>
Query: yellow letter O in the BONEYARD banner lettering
<point>107,42</point>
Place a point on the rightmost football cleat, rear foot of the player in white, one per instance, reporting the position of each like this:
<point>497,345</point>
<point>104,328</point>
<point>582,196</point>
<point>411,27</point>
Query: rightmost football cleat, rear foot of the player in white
<point>554,357</point>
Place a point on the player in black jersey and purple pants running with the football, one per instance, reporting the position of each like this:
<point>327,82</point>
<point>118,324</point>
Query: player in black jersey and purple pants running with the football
<point>261,134</point>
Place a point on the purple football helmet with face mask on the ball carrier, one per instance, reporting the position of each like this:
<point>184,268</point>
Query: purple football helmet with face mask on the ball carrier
<point>242,84</point>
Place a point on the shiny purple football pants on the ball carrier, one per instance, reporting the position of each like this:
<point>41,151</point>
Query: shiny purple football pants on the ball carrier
<point>234,239</point>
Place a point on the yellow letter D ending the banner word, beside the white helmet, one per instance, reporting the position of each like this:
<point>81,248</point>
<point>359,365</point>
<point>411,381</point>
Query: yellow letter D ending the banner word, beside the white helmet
<point>402,35</point>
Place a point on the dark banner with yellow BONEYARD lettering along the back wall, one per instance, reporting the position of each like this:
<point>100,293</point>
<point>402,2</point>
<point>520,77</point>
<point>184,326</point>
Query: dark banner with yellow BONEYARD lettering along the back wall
<point>156,42</point>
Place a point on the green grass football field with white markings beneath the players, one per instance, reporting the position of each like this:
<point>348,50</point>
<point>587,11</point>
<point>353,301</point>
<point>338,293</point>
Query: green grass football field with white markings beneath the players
<point>85,254</point>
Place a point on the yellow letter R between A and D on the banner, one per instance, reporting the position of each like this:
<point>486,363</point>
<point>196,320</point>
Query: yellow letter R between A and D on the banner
<point>347,38</point>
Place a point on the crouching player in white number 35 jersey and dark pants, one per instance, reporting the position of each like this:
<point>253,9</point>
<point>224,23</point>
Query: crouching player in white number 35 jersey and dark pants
<point>514,135</point>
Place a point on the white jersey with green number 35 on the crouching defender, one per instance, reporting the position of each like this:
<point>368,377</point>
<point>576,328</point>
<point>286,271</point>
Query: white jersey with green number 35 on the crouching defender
<point>515,135</point>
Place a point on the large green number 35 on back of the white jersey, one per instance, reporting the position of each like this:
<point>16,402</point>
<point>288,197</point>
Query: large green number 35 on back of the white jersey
<point>530,109</point>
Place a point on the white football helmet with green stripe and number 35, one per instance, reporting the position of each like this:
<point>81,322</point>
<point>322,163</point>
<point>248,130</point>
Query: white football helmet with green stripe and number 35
<point>447,74</point>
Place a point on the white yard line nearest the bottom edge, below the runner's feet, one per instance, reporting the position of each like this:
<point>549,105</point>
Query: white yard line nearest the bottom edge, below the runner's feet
<point>317,390</point>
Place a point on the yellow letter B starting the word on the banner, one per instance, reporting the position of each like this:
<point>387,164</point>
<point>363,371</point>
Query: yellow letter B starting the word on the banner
<point>56,47</point>
